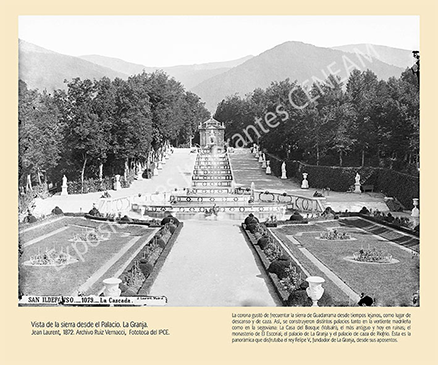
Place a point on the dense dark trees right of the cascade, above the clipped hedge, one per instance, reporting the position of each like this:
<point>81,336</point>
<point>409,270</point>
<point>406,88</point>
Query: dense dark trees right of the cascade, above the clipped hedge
<point>362,121</point>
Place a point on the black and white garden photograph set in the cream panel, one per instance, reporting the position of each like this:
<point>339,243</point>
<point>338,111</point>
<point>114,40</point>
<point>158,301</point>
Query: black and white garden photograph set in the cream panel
<point>219,161</point>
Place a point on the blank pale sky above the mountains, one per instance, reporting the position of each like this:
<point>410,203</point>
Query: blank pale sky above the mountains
<point>175,40</point>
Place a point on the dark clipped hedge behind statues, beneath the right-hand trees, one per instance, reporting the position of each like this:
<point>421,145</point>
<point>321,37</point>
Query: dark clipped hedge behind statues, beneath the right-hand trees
<point>392,183</point>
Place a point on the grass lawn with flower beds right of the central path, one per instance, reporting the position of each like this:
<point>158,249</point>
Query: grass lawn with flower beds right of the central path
<point>389,284</point>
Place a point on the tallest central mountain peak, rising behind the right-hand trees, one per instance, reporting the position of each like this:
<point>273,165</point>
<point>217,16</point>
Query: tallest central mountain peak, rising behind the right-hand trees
<point>294,60</point>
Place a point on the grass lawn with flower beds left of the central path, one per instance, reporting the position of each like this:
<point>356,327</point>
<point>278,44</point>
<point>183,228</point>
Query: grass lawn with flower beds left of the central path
<point>47,280</point>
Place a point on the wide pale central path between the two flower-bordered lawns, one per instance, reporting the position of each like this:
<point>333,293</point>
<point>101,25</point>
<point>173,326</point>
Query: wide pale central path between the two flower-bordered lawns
<point>212,265</point>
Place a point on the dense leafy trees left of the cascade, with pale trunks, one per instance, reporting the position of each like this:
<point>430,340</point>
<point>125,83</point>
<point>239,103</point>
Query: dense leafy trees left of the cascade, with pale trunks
<point>102,127</point>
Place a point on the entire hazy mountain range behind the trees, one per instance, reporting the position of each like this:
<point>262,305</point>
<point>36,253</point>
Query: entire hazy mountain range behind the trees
<point>44,69</point>
